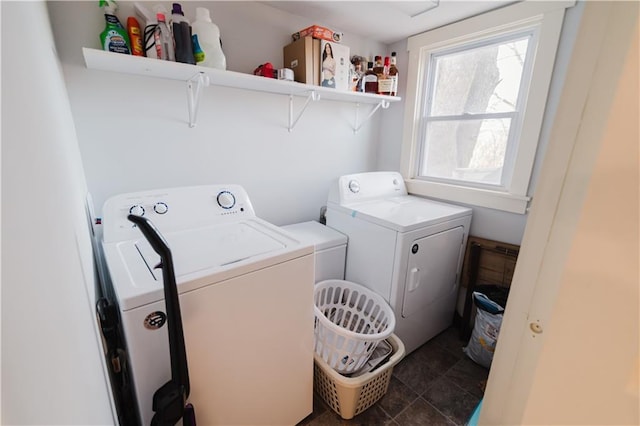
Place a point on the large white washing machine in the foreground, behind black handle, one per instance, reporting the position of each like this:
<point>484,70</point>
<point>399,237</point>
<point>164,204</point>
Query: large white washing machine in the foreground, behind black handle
<point>246,295</point>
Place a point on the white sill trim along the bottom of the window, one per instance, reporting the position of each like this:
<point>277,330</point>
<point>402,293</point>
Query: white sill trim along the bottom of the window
<point>473,196</point>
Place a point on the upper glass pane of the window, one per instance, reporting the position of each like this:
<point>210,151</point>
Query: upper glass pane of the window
<point>485,79</point>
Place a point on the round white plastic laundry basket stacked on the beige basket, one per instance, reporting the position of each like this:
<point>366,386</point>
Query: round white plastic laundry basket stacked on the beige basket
<point>350,322</point>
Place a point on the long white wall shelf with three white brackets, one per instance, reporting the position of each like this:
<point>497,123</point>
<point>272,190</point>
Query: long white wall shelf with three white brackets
<point>198,77</point>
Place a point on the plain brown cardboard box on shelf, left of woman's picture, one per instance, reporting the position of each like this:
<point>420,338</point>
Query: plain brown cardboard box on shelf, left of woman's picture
<point>303,57</point>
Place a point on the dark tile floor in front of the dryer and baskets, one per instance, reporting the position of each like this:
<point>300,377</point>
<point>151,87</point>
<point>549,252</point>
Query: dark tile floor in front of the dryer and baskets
<point>437,384</point>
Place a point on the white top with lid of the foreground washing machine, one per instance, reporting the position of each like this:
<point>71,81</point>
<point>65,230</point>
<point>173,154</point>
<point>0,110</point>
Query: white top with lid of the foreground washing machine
<point>201,257</point>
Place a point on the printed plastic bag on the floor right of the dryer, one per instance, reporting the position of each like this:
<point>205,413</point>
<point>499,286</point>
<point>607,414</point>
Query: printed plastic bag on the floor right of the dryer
<point>484,336</point>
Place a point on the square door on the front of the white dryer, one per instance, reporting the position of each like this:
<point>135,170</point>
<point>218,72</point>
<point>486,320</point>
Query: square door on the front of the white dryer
<point>432,267</point>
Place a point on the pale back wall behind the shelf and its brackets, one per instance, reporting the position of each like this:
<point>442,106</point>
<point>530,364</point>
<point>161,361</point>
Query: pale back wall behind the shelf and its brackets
<point>133,131</point>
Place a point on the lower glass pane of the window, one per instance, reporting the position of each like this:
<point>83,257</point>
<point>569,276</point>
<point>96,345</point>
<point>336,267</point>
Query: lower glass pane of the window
<point>466,150</point>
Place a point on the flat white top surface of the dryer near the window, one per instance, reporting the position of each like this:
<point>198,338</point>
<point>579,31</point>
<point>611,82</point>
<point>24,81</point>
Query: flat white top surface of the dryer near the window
<point>403,213</point>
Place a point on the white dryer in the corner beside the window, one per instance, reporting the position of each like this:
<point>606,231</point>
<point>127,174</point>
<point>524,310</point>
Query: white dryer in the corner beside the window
<point>407,249</point>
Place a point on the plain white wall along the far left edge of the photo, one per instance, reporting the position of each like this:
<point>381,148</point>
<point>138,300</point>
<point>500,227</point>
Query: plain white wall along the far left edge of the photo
<point>52,367</point>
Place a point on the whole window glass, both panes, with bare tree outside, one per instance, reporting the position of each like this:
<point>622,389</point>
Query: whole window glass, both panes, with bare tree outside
<point>472,106</point>
